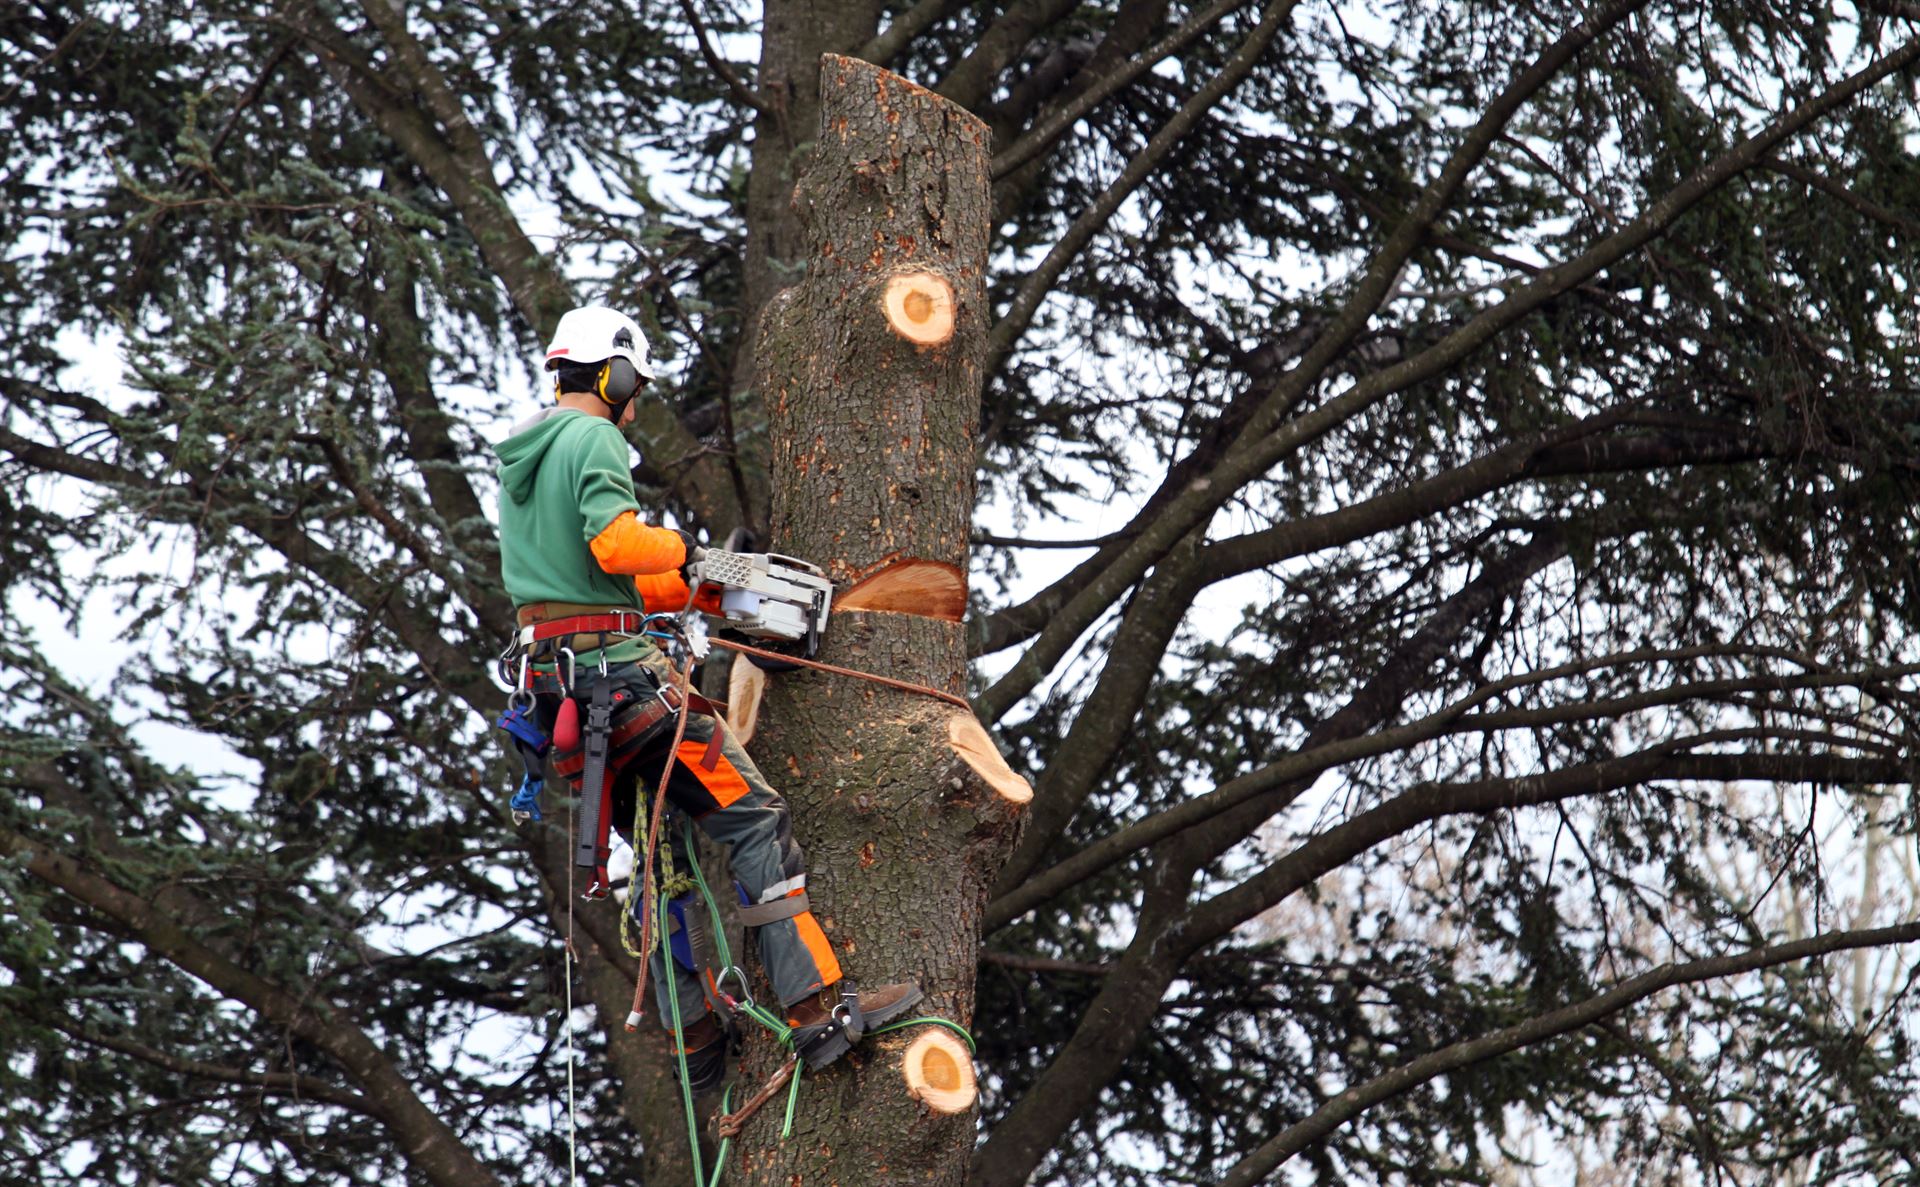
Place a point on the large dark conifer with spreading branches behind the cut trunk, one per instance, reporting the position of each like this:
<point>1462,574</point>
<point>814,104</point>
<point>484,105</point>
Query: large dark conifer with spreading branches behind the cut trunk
<point>1462,744</point>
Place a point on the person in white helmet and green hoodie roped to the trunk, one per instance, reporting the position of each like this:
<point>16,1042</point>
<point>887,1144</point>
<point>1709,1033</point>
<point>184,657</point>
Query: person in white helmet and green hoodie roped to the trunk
<point>583,571</point>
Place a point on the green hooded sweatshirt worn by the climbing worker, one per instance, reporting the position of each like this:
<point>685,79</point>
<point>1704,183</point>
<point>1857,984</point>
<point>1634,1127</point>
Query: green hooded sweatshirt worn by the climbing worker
<point>564,477</point>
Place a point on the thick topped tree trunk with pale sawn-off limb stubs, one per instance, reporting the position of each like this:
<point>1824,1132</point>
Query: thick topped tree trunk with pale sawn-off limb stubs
<point>875,431</point>
